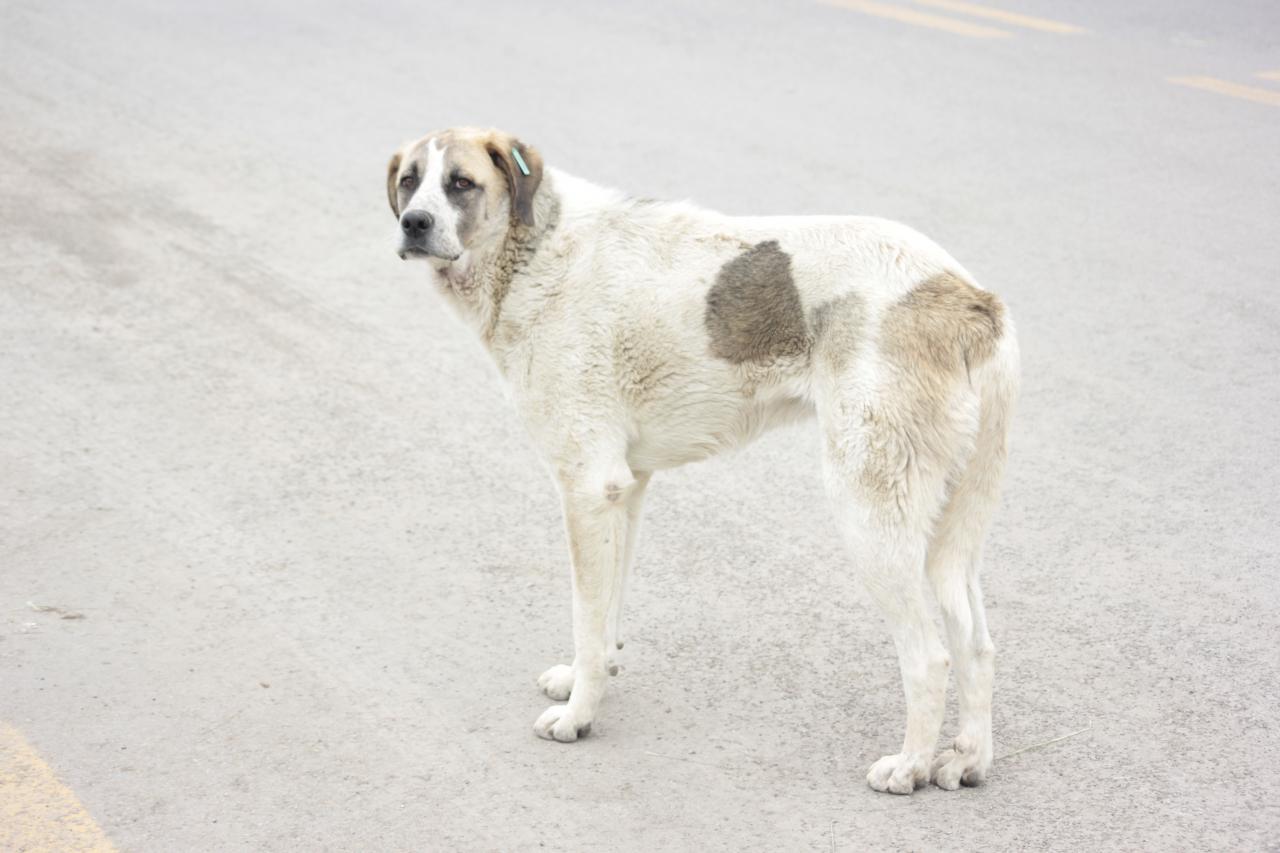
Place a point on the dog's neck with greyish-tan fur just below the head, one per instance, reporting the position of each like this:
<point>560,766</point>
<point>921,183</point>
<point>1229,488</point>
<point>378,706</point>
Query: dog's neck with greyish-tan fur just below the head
<point>479,282</point>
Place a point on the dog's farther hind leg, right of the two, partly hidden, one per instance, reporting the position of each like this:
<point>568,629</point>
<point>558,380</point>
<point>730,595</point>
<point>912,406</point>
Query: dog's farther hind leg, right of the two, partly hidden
<point>954,565</point>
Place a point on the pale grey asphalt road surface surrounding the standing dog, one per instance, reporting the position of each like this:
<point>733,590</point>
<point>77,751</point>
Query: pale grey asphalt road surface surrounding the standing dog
<point>305,568</point>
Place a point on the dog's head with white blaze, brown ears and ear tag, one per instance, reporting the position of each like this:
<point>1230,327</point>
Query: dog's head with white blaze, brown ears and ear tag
<point>459,190</point>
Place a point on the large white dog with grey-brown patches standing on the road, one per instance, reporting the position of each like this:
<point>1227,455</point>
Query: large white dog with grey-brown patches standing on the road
<point>636,336</point>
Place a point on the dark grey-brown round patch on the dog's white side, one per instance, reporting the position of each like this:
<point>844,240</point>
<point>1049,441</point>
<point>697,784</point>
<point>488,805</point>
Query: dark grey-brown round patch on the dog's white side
<point>753,309</point>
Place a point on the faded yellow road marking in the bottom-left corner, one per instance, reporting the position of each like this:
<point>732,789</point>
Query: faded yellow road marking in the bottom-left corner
<point>38,813</point>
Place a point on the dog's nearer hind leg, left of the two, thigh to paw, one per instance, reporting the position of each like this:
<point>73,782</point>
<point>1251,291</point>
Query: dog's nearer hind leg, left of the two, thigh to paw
<point>885,494</point>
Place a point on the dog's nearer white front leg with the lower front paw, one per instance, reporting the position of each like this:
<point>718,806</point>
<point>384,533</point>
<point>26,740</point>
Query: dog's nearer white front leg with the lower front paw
<point>596,521</point>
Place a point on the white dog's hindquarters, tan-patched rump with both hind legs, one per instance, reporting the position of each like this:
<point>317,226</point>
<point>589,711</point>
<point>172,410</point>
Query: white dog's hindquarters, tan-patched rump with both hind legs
<point>916,443</point>
